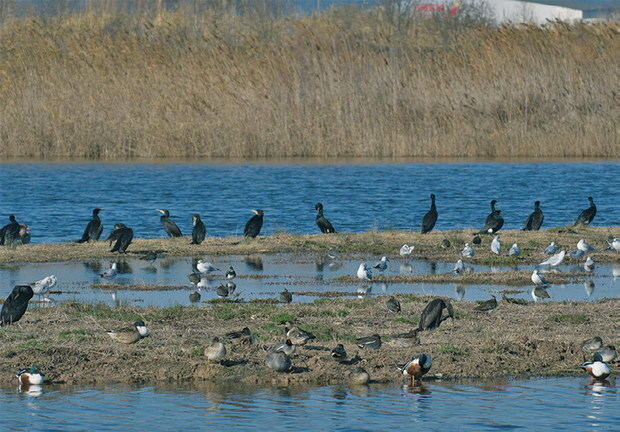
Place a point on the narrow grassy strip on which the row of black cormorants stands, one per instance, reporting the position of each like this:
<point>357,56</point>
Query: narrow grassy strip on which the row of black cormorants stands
<point>362,246</point>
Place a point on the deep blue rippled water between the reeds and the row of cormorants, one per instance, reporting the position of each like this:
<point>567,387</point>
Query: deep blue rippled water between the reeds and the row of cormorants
<point>56,199</point>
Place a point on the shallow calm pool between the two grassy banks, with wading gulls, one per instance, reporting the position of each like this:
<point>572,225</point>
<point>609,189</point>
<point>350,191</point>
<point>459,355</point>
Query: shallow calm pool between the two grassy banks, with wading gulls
<point>266,276</point>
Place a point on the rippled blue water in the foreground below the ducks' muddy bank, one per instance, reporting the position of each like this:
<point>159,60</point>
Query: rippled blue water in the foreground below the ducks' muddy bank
<point>540,404</point>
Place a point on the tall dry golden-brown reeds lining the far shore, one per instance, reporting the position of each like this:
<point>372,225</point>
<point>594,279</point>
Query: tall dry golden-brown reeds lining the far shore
<point>345,82</point>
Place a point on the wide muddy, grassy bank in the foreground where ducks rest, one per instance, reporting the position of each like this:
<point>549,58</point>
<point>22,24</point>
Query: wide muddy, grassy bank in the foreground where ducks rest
<point>69,342</point>
